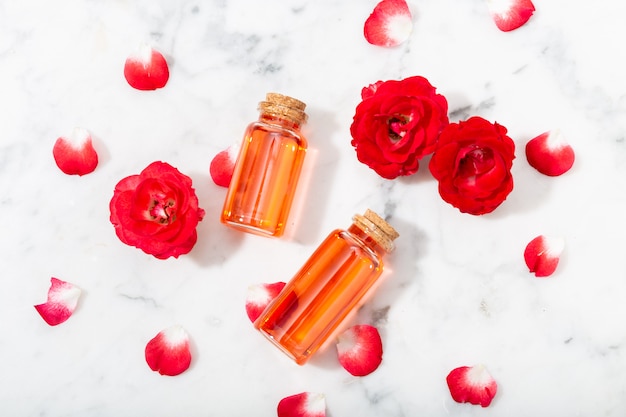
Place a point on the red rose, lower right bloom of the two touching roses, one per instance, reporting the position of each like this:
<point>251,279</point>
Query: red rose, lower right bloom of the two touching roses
<point>472,163</point>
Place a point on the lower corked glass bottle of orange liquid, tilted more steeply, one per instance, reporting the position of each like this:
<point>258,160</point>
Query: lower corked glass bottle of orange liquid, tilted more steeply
<point>330,285</point>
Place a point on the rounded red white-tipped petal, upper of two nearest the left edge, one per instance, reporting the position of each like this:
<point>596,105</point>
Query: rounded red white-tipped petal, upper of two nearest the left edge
<point>75,155</point>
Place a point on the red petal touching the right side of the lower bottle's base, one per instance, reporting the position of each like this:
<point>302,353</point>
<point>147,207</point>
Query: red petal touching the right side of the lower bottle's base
<point>360,349</point>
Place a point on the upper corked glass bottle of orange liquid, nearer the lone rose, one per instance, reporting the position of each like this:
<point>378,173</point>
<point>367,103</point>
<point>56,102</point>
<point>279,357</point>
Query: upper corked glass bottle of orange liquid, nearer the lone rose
<point>267,169</point>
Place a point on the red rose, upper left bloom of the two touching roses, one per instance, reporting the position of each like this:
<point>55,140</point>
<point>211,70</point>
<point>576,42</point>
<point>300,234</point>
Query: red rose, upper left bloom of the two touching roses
<point>397,124</point>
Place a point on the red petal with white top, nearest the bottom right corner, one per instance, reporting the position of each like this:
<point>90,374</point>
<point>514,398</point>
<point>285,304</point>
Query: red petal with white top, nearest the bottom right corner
<point>472,385</point>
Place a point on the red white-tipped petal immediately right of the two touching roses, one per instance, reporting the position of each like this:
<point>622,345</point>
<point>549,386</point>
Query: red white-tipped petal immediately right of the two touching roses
<point>549,154</point>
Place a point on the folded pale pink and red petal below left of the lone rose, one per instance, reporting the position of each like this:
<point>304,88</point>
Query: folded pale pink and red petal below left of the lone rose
<point>62,301</point>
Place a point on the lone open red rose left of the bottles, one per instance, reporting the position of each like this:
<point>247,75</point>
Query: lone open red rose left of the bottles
<point>156,211</point>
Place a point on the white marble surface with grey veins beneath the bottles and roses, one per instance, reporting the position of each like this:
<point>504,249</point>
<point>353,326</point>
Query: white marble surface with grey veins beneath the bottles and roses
<point>458,293</point>
